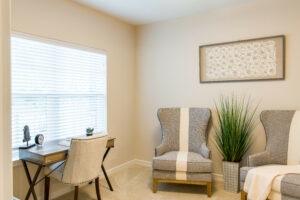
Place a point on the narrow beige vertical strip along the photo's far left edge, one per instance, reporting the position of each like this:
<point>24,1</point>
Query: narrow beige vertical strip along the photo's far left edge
<point>5,136</point>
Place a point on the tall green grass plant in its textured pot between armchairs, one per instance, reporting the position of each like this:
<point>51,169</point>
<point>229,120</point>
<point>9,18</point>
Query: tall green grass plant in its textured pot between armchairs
<point>235,122</point>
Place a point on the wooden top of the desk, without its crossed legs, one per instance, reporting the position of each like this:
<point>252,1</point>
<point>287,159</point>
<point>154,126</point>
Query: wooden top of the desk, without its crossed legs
<point>50,152</point>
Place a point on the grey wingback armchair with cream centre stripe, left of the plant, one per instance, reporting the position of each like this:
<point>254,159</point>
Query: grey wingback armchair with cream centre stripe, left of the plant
<point>183,157</point>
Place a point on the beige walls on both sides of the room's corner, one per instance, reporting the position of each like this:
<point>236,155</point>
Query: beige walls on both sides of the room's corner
<point>167,70</point>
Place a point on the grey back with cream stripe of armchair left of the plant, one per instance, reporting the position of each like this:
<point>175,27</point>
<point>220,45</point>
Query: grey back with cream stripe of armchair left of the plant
<point>184,129</point>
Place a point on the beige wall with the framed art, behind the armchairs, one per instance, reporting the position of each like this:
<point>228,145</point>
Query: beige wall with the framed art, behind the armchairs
<point>168,65</point>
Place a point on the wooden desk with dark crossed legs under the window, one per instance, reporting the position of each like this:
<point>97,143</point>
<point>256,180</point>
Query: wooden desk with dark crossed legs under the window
<point>49,153</point>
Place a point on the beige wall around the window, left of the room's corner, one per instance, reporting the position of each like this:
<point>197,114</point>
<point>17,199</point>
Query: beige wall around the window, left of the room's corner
<point>68,21</point>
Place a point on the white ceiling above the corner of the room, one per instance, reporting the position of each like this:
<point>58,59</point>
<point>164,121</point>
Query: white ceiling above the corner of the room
<point>139,12</point>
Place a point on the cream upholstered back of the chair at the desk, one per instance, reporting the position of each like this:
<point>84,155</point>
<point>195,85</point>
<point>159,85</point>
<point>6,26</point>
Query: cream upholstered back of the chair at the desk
<point>84,159</point>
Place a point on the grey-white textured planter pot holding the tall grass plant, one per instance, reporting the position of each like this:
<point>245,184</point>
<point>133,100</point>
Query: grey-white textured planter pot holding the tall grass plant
<point>231,171</point>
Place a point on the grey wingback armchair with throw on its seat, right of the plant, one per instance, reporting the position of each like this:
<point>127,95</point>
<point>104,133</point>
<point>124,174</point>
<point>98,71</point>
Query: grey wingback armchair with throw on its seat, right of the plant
<point>282,128</point>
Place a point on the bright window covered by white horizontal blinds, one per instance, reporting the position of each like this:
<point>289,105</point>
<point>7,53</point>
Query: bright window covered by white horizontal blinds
<point>58,89</point>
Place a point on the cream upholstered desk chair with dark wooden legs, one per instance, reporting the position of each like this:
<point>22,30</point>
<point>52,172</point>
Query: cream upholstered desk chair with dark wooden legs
<point>82,165</point>
